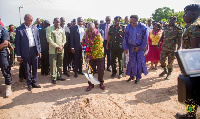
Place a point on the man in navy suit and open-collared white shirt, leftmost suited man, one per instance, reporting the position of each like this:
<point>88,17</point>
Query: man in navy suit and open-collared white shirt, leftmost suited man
<point>28,48</point>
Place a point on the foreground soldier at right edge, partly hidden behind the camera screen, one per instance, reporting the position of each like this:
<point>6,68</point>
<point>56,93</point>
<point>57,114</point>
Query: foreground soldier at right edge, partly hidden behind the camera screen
<point>191,39</point>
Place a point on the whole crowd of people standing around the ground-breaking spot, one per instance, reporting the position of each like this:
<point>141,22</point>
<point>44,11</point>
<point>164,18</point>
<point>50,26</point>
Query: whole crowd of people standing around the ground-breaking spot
<point>57,49</point>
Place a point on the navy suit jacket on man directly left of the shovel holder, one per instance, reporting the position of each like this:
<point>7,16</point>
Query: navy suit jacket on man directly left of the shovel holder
<point>74,37</point>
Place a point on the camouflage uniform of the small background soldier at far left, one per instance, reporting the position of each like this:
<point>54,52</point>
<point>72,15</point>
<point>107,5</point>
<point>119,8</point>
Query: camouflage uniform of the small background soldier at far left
<point>12,52</point>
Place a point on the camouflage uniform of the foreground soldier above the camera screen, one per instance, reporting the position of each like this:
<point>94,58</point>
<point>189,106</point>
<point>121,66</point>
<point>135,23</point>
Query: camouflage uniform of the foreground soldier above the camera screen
<point>191,33</point>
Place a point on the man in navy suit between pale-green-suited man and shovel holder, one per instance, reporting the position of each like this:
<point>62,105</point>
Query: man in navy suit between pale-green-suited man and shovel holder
<point>76,36</point>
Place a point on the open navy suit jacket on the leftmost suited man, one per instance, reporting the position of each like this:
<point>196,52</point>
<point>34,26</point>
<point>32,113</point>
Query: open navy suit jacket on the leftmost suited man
<point>22,41</point>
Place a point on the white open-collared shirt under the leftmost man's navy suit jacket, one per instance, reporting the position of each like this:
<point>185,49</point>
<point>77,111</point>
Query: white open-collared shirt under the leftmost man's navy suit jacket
<point>30,36</point>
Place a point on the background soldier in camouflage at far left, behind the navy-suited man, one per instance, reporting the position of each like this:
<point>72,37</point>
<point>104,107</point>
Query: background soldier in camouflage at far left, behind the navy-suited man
<point>12,45</point>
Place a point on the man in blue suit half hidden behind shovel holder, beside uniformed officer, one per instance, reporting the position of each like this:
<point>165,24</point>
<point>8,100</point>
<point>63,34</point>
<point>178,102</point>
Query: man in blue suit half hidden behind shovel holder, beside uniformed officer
<point>105,27</point>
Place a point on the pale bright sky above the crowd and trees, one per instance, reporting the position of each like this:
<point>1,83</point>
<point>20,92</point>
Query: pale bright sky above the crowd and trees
<point>70,9</point>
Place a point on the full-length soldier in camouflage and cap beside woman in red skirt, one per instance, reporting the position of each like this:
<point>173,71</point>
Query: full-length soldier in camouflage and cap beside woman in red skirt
<point>170,37</point>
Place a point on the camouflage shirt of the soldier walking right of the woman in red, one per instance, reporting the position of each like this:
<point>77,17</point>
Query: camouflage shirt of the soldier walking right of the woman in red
<point>171,36</point>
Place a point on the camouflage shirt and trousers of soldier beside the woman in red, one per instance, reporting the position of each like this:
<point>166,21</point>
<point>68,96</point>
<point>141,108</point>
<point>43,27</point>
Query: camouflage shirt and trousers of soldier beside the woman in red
<point>171,36</point>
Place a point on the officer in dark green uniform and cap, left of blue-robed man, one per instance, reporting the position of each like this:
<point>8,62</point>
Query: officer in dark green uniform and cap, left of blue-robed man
<point>115,38</point>
